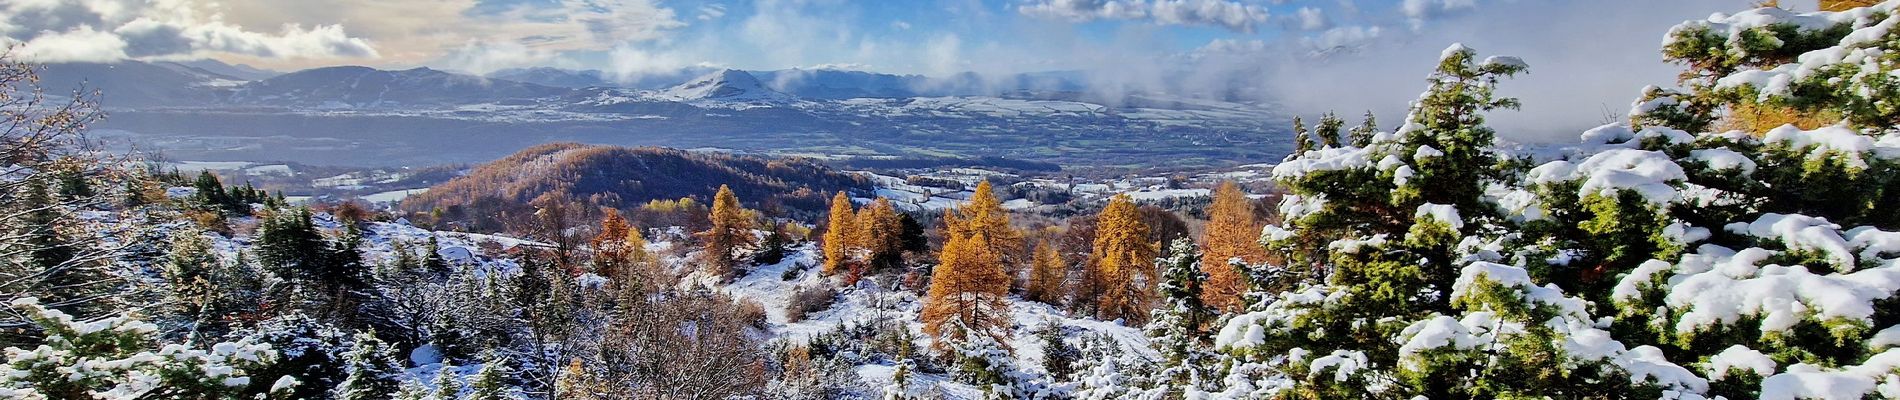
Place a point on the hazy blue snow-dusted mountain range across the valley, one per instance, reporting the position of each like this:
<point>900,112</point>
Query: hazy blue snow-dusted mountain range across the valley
<point>423,117</point>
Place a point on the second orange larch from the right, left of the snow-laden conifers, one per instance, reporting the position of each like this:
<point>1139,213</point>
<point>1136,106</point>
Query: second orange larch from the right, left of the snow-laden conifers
<point>1122,263</point>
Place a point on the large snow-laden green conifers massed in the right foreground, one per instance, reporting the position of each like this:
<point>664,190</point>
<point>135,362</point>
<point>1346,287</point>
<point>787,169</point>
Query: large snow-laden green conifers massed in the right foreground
<point>1654,261</point>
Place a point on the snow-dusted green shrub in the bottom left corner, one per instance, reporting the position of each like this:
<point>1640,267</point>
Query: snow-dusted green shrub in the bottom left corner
<point>121,357</point>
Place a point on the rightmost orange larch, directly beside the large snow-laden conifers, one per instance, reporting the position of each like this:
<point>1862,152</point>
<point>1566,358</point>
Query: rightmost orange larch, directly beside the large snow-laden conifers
<point>1232,234</point>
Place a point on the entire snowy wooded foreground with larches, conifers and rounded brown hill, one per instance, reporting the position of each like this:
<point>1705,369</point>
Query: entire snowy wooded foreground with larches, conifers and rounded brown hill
<point>1726,242</point>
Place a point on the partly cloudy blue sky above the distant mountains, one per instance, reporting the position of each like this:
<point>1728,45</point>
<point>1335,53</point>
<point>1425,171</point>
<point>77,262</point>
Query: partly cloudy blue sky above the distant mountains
<point>1589,58</point>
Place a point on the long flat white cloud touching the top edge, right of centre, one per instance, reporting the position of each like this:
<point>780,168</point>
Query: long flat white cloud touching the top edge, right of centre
<point>1226,14</point>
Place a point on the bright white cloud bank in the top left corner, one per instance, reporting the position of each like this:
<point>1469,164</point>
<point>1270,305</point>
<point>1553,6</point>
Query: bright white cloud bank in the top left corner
<point>102,31</point>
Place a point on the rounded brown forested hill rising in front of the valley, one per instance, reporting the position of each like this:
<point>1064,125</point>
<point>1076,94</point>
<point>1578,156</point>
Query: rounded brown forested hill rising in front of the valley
<point>626,177</point>
